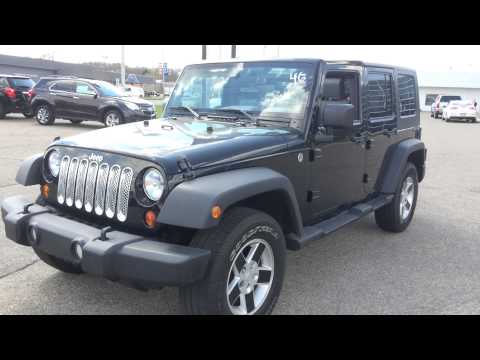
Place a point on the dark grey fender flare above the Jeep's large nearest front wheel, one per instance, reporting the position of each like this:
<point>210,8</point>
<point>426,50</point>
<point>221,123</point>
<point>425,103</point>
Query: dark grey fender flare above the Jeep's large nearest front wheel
<point>189,204</point>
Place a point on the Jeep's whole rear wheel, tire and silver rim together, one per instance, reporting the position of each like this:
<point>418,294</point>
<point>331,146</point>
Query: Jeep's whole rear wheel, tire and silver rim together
<point>396,216</point>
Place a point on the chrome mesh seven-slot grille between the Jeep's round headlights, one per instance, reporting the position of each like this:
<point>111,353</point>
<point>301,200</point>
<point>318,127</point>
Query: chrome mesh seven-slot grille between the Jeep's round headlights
<point>95,187</point>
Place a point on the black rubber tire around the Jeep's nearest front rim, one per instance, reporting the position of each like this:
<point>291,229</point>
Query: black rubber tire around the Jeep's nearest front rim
<point>226,242</point>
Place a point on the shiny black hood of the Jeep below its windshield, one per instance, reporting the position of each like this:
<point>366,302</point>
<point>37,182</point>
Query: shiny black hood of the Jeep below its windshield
<point>203,143</point>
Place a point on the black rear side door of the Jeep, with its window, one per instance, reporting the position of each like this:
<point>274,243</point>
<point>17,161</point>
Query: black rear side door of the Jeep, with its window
<point>382,121</point>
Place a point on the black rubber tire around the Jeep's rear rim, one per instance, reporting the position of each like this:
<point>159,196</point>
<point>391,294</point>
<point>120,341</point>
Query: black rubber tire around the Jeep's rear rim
<point>389,217</point>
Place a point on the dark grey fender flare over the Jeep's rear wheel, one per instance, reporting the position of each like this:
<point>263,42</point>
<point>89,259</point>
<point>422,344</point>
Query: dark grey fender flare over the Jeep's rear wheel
<point>396,160</point>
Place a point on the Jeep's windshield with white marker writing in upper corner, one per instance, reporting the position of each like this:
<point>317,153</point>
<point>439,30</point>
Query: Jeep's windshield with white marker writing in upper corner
<point>264,89</point>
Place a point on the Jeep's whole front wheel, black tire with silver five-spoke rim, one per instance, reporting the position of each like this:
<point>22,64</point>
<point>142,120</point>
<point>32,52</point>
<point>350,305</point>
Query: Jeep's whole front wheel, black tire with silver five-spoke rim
<point>247,266</point>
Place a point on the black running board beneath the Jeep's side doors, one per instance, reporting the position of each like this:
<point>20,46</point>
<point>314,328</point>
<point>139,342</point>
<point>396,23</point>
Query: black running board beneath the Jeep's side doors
<point>326,227</point>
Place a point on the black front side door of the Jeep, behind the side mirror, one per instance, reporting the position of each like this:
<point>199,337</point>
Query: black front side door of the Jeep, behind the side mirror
<point>338,166</point>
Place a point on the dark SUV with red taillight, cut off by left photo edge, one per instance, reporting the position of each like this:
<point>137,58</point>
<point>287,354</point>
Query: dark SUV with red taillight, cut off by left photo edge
<point>15,93</point>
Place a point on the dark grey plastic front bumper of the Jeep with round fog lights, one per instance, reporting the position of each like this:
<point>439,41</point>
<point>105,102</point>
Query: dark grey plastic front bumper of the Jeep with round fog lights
<point>122,256</point>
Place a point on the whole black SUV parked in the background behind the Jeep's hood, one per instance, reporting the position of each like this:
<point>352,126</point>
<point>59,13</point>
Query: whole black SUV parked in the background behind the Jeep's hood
<point>78,100</point>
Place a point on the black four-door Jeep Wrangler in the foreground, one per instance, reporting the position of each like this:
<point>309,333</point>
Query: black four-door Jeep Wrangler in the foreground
<point>250,159</point>
